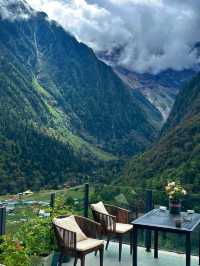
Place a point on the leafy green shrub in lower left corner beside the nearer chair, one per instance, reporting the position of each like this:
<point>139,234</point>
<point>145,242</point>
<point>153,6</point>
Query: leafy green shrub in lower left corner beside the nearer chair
<point>34,238</point>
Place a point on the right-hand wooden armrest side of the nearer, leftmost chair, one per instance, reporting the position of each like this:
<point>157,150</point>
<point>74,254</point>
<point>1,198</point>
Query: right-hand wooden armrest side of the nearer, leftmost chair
<point>90,228</point>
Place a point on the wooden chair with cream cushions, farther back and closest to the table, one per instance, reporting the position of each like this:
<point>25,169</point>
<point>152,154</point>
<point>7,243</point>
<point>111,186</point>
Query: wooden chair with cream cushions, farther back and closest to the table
<point>115,222</point>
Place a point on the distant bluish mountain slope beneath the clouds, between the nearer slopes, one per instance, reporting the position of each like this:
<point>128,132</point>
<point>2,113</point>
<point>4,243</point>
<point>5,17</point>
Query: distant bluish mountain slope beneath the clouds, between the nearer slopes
<point>159,89</point>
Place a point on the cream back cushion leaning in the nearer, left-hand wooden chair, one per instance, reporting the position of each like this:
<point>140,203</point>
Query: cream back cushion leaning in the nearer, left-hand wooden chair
<point>69,223</point>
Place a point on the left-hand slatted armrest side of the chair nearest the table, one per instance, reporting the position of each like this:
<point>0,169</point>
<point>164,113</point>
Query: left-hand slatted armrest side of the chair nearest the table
<point>107,221</point>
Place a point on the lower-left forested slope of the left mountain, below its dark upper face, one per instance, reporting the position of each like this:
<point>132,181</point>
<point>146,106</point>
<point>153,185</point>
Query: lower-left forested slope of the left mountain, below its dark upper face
<point>33,155</point>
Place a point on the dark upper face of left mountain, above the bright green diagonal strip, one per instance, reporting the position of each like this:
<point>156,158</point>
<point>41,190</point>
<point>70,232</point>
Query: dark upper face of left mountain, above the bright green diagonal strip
<point>93,100</point>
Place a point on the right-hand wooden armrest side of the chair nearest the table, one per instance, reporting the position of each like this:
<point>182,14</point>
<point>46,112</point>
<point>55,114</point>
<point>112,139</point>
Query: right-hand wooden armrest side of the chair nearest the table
<point>122,215</point>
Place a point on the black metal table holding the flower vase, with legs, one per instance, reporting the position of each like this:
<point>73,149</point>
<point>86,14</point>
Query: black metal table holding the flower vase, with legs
<point>157,220</point>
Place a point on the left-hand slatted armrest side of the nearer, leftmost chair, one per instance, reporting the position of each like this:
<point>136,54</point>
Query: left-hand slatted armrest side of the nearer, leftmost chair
<point>65,239</point>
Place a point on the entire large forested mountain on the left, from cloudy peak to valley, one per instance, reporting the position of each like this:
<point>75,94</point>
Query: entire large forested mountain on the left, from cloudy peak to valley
<point>63,112</point>
